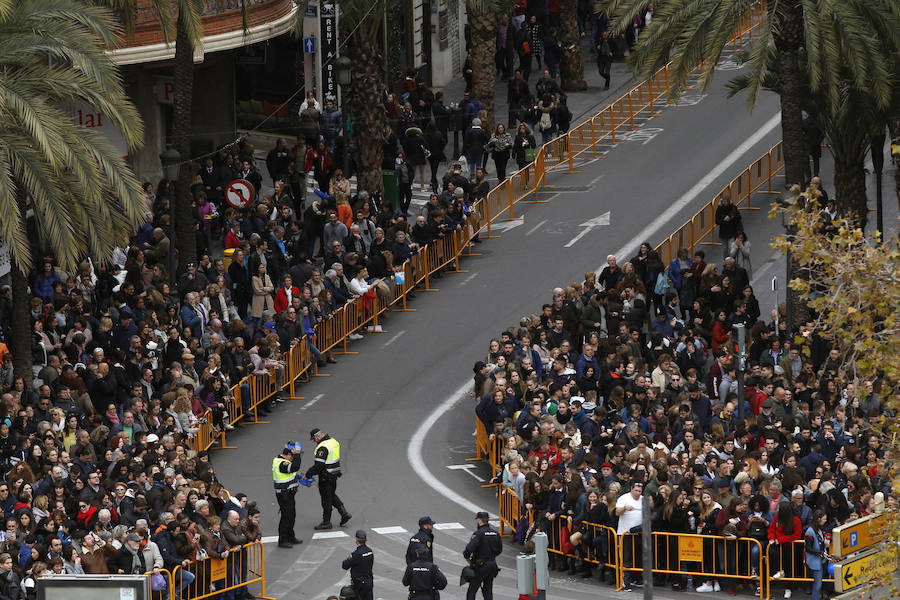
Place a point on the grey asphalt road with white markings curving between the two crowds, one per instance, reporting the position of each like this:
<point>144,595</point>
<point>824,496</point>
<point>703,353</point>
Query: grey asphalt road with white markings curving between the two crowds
<point>399,407</point>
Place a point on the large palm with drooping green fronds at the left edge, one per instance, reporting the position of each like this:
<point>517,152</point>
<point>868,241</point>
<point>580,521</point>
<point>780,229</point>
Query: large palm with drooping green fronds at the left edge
<point>83,197</point>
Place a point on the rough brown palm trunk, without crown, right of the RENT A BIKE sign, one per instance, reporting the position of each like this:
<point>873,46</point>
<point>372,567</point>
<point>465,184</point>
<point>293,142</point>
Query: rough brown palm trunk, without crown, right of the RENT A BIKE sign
<point>367,108</point>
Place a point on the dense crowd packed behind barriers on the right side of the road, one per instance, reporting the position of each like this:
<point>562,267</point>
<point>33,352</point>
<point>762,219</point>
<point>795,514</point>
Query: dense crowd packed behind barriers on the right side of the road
<point>625,385</point>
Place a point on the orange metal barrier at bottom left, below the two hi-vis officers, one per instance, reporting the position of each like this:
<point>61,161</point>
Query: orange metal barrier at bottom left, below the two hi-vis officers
<point>212,576</point>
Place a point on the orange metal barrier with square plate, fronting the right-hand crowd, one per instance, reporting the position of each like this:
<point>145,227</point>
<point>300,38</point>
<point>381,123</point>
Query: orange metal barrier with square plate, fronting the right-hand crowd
<point>701,556</point>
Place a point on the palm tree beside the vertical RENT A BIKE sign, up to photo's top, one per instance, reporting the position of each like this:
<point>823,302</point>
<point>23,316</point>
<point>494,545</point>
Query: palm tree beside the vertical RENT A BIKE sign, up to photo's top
<point>362,23</point>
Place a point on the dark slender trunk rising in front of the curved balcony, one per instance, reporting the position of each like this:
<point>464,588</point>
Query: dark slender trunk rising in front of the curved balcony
<point>182,107</point>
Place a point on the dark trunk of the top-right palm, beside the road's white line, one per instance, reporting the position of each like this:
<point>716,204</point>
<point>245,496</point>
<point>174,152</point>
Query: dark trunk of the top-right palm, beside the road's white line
<point>788,41</point>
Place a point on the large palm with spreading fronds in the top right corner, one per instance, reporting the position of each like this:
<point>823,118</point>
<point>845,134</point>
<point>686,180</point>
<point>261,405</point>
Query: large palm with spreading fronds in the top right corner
<point>691,31</point>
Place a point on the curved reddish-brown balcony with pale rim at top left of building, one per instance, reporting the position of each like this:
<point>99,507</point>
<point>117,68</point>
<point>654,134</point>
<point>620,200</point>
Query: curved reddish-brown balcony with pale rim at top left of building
<point>222,28</point>
